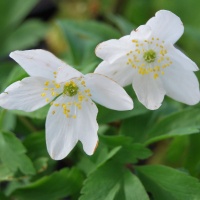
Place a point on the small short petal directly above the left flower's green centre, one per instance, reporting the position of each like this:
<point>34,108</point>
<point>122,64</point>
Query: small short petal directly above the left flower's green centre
<point>67,72</point>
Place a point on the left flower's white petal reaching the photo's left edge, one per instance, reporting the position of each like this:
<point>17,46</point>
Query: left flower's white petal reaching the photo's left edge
<point>26,94</point>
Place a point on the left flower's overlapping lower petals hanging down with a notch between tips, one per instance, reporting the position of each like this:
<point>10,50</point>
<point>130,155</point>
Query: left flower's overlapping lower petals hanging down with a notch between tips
<point>62,133</point>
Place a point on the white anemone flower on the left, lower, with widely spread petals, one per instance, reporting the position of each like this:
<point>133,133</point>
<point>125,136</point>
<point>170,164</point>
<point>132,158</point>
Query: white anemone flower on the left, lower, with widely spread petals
<point>72,114</point>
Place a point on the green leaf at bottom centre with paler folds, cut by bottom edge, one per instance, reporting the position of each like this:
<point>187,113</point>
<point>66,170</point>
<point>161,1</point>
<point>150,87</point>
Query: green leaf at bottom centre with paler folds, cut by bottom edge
<point>111,182</point>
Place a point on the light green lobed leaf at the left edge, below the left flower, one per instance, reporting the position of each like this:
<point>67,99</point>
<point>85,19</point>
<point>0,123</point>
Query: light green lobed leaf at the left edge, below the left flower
<point>12,154</point>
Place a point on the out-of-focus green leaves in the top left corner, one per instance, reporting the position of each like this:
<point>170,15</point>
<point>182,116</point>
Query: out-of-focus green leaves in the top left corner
<point>13,36</point>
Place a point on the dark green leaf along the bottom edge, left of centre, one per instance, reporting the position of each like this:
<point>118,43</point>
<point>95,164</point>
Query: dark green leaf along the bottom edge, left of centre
<point>64,183</point>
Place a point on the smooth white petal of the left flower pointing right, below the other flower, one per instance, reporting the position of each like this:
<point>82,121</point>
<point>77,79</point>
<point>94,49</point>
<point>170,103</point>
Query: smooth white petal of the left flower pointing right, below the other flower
<point>108,93</point>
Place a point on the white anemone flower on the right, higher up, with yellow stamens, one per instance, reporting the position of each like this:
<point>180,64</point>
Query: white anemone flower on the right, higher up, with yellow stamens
<point>147,59</point>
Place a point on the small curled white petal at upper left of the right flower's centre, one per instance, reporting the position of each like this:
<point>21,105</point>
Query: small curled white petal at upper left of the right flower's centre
<point>141,33</point>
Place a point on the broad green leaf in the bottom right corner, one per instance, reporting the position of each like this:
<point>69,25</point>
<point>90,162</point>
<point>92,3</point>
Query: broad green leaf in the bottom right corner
<point>166,183</point>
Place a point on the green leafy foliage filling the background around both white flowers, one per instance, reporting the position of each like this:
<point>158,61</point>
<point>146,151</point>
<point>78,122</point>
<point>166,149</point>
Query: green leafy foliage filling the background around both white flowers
<point>142,154</point>
